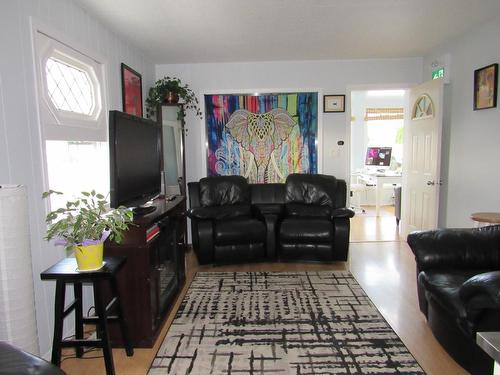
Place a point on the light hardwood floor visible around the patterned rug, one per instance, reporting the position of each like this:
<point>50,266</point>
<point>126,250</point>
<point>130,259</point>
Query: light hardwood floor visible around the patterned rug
<point>385,270</point>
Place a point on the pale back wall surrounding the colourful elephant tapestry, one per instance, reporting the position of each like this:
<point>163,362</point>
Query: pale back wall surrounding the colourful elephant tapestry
<point>330,77</point>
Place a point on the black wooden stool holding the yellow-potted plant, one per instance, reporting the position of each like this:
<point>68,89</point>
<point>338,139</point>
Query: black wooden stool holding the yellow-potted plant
<point>65,272</point>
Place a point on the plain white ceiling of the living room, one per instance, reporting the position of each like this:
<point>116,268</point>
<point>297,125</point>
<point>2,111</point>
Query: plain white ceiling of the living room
<point>195,31</point>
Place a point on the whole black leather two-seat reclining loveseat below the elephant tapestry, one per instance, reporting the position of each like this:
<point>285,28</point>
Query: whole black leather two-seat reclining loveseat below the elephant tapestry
<point>304,218</point>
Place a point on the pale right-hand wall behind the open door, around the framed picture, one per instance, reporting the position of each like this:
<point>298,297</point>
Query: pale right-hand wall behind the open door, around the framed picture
<point>471,139</point>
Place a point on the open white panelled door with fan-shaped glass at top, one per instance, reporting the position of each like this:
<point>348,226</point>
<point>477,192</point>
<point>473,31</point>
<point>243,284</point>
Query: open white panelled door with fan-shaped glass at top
<point>422,159</point>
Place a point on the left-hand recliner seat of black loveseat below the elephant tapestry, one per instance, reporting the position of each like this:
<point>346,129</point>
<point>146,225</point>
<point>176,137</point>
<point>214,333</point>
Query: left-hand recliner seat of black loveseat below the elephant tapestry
<point>223,226</point>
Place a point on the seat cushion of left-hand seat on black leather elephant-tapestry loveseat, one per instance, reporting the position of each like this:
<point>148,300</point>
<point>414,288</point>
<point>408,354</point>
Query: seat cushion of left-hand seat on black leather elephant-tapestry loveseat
<point>239,231</point>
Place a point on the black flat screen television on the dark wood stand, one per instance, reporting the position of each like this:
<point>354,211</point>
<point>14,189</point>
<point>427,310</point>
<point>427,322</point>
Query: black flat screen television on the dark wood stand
<point>135,161</point>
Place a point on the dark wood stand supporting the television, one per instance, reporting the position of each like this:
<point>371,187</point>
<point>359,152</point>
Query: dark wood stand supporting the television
<point>154,272</point>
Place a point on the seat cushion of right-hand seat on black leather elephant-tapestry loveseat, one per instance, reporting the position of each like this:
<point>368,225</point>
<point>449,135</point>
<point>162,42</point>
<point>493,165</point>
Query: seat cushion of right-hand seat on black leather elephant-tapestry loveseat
<point>306,231</point>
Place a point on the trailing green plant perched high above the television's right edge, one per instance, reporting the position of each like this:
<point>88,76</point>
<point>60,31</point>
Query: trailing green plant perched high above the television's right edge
<point>170,90</point>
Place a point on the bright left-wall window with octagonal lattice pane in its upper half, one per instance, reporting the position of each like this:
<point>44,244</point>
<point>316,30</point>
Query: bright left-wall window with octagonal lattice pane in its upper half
<point>73,124</point>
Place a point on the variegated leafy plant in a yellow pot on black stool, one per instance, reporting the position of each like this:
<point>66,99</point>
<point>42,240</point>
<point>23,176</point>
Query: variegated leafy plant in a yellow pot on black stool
<point>84,224</point>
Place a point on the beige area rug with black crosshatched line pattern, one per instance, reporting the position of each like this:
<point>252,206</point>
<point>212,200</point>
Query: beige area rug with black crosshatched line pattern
<point>280,323</point>
